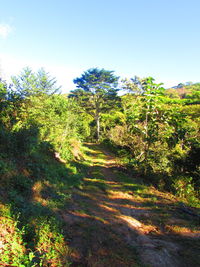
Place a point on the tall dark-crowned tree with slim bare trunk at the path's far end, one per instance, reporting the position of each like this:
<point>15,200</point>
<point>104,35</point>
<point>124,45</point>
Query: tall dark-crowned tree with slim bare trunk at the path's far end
<point>97,93</point>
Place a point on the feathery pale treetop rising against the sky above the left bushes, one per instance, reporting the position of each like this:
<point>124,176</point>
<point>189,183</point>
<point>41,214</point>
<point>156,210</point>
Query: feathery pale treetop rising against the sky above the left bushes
<point>29,83</point>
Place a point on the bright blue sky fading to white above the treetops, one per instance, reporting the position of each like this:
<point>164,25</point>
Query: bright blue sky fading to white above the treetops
<point>158,38</point>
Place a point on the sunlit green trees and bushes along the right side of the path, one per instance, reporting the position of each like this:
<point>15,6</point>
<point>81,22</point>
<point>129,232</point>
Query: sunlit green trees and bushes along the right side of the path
<point>158,138</point>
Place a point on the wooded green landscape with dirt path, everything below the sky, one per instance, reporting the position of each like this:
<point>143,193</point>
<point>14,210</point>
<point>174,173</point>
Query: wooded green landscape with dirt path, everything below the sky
<point>98,179</point>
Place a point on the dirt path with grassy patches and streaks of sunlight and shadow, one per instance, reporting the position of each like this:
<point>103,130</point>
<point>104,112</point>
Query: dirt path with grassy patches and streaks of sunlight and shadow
<point>114,220</point>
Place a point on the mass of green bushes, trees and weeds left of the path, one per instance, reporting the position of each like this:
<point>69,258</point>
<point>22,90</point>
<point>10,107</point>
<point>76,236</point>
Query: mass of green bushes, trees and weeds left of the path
<point>35,127</point>
